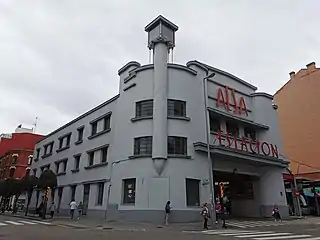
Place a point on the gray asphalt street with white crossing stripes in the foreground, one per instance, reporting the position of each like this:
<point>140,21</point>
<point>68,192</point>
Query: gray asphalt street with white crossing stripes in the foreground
<point>14,228</point>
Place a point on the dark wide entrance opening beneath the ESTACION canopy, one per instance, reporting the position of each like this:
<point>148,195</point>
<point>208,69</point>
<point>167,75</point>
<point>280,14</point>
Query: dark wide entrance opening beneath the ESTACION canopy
<point>236,191</point>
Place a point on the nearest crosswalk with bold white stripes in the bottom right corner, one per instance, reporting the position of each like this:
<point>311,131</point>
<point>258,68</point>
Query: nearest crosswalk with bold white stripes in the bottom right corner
<point>258,235</point>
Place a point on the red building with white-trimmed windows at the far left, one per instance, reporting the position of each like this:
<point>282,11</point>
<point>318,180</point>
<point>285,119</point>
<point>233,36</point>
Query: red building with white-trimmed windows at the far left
<point>16,151</point>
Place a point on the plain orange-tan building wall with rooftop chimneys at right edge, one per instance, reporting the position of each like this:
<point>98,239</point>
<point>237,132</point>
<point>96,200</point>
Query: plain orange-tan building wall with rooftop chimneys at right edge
<point>297,106</point>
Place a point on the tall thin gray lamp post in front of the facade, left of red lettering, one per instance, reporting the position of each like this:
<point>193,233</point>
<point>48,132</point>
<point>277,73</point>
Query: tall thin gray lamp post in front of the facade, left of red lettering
<point>207,117</point>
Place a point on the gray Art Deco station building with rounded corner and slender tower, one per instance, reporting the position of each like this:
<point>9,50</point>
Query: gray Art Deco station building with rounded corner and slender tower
<point>127,157</point>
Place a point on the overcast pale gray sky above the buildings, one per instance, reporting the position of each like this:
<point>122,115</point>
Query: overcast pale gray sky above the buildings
<point>60,58</point>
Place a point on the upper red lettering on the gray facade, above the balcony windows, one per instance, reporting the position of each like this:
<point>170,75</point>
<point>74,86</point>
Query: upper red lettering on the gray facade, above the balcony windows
<point>229,100</point>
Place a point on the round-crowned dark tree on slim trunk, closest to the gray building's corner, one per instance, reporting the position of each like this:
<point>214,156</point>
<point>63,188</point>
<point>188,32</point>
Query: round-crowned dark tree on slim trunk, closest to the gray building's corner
<point>47,180</point>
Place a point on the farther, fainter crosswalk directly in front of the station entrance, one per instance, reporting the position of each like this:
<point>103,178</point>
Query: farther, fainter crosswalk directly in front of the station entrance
<point>265,223</point>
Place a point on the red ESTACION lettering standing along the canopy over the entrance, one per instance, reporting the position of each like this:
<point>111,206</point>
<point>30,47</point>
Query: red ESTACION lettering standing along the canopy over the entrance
<point>248,145</point>
